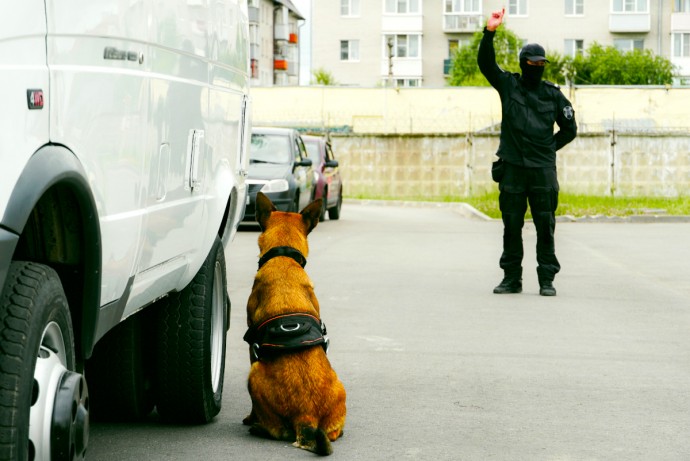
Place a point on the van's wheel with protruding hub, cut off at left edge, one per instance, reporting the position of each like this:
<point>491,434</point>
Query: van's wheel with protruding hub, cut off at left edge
<point>44,411</point>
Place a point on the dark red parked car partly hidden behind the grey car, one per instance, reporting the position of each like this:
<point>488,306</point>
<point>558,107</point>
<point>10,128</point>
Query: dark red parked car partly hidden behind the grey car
<point>329,185</point>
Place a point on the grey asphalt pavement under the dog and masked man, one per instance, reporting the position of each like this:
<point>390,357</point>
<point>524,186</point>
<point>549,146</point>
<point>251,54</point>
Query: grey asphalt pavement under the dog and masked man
<point>437,367</point>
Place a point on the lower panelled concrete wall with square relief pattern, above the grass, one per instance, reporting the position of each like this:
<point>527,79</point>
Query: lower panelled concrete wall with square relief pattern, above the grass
<point>438,167</point>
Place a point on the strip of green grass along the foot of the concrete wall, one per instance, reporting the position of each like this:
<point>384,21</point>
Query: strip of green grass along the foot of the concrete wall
<point>578,205</point>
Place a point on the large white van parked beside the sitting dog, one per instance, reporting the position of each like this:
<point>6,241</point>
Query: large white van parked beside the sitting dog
<point>124,128</point>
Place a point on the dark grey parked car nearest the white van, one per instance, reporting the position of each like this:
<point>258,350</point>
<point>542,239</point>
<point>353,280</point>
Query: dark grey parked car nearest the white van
<point>280,167</point>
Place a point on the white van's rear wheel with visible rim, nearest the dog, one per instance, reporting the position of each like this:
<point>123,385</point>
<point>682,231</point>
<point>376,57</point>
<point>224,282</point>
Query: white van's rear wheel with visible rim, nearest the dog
<point>191,340</point>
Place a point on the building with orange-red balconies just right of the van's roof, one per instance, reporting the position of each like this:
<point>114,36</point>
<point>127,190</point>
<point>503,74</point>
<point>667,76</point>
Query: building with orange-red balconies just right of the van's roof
<point>274,27</point>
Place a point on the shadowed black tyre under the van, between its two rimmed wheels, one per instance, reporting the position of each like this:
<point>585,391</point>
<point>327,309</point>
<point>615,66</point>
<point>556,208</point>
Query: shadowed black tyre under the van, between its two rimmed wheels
<point>119,372</point>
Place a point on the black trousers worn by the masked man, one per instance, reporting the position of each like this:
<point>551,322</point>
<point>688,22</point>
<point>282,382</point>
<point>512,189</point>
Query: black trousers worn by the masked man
<point>538,187</point>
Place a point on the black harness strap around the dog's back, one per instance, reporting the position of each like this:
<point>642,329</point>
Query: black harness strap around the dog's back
<point>286,332</point>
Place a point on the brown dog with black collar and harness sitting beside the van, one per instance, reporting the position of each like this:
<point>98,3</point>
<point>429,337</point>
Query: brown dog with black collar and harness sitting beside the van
<point>296,395</point>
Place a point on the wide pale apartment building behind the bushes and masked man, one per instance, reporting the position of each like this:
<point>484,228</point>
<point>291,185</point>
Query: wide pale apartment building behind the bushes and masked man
<point>408,43</point>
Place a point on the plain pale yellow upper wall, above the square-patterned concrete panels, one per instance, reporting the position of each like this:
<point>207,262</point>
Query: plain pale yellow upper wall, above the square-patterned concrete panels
<point>461,109</point>
